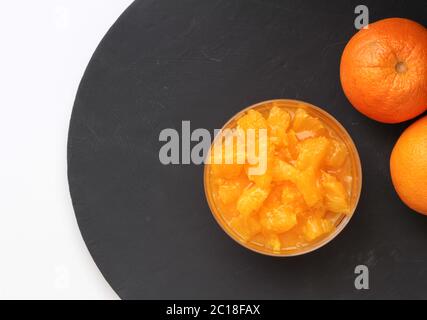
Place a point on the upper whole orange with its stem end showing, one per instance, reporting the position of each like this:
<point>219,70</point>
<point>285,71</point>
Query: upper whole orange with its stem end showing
<point>384,70</point>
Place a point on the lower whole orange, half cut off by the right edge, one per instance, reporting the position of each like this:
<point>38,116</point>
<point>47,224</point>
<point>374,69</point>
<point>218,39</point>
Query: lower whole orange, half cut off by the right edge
<point>408,166</point>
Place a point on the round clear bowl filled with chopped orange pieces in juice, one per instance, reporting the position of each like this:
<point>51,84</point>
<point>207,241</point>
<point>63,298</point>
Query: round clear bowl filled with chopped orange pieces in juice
<point>283,178</point>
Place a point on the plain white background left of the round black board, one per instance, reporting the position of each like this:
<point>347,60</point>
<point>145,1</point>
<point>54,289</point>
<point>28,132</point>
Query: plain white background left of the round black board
<point>45,46</point>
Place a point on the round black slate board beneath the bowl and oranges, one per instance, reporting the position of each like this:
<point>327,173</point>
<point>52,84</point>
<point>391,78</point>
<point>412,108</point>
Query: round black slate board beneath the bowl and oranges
<point>148,226</point>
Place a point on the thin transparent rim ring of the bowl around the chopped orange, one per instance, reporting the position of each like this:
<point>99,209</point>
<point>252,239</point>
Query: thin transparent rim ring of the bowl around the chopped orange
<point>342,223</point>
